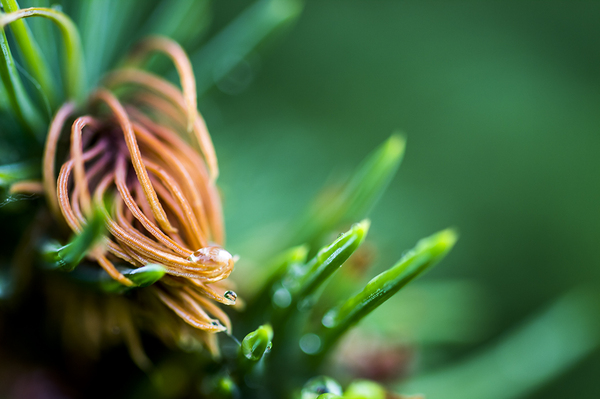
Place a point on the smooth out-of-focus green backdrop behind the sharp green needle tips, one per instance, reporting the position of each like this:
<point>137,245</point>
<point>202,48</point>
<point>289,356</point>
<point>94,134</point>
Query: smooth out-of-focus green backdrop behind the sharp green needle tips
<point>499,101</point>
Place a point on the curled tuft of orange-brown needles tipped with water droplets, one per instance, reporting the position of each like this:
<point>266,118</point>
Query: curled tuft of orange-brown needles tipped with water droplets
<point>156,192</point>
